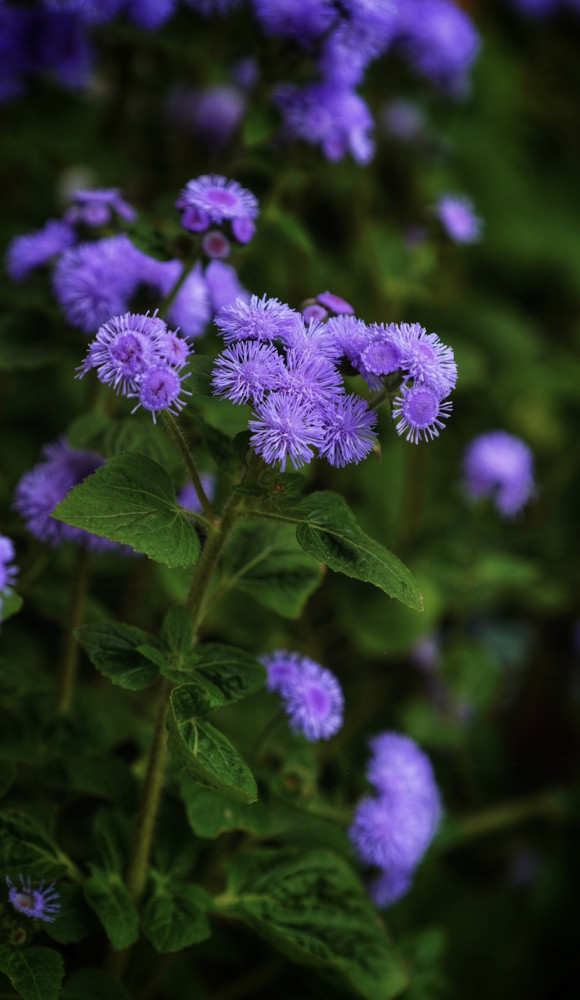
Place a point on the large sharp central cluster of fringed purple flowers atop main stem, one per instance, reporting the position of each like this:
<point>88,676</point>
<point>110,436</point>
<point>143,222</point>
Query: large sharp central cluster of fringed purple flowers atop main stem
<point>289,370</point>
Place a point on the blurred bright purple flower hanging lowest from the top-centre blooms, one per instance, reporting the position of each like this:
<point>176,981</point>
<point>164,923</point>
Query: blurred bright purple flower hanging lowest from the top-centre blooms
<point>329,116</point>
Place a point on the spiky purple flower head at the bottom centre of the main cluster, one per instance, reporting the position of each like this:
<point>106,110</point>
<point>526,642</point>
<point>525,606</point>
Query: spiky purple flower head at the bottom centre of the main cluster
<point>285,428</point>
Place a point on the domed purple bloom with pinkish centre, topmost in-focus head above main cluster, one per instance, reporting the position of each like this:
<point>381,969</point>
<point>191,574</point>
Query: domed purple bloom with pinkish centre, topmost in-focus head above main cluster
<point>213,198</point>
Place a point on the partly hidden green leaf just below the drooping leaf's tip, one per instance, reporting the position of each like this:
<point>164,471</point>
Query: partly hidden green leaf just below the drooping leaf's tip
<point>210,814</point>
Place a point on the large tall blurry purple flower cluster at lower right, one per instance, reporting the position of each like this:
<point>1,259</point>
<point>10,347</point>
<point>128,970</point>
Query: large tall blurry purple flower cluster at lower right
<point>393,829</point>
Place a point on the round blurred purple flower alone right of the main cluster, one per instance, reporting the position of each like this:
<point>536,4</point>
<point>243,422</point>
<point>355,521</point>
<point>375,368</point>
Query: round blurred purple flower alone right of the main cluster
<point>499,465</point>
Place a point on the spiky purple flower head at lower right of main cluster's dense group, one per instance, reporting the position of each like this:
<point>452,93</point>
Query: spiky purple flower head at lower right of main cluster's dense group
<point>348,430</point>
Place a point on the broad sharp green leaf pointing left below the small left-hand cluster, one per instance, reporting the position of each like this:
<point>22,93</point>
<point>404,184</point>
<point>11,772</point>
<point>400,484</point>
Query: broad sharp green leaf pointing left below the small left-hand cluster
<point>131,500</point>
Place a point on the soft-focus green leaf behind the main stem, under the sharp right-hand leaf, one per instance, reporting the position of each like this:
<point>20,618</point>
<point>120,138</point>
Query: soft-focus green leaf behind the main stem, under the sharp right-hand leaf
<point>263,559</point>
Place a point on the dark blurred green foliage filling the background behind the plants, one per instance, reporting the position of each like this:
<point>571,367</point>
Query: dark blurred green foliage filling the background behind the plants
<point>487,679</point>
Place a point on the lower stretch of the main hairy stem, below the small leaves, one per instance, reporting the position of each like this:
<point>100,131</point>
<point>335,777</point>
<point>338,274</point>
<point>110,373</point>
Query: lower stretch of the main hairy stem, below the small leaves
<point>150,799</point>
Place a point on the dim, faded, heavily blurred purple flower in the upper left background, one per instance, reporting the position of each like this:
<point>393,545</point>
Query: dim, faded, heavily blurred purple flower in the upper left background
<point>212,114</point>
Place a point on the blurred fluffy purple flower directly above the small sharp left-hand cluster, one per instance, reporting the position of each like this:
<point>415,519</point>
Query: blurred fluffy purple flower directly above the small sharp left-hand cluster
<point>95,281</point>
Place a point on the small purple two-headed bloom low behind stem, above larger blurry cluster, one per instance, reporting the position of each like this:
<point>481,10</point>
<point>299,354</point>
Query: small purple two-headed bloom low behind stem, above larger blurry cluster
<point>311,694</point>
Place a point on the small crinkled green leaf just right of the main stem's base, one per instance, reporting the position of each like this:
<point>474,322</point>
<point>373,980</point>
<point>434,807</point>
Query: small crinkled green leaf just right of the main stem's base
<point>173,915</point>
